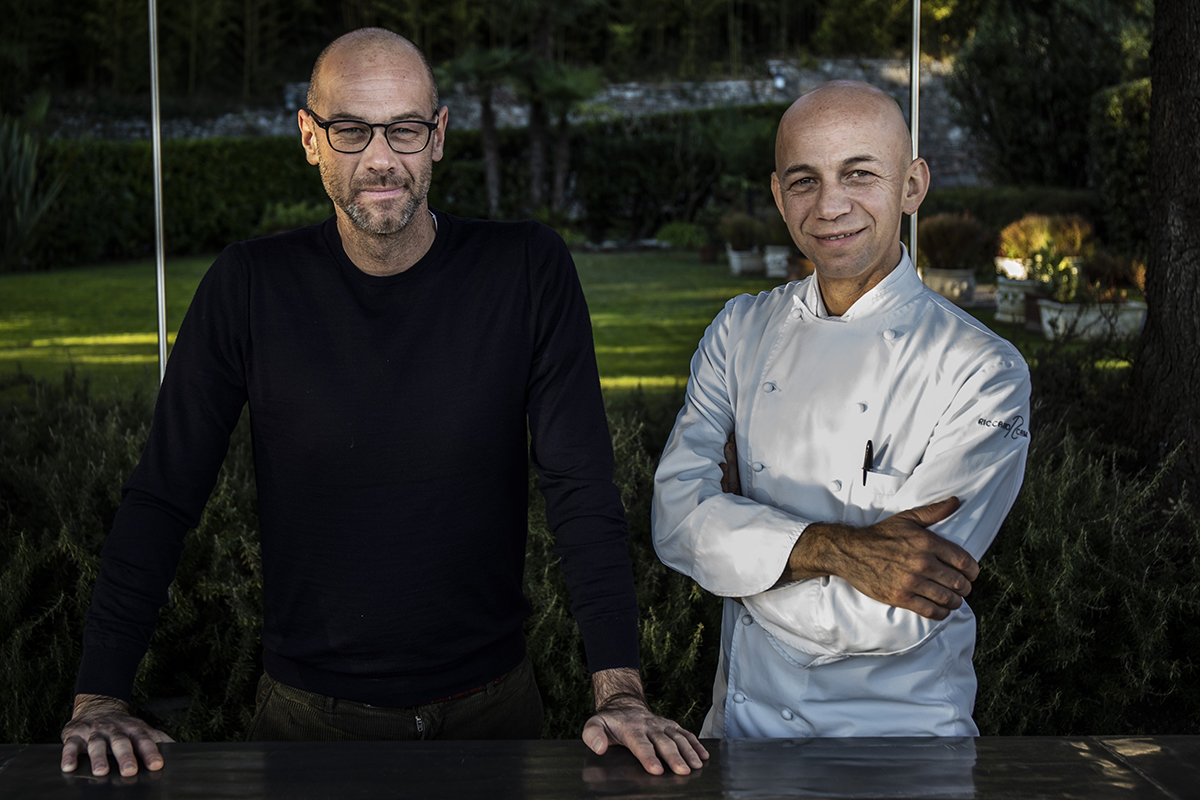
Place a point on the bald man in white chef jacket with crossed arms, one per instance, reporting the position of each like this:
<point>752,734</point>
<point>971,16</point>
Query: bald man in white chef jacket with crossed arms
<point>848,450</point>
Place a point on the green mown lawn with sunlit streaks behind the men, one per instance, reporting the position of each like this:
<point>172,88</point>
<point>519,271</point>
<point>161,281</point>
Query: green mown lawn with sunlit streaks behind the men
<point>649,312</point>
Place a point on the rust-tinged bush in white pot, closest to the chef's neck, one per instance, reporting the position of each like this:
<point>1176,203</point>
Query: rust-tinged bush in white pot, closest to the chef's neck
<point>949,249</point>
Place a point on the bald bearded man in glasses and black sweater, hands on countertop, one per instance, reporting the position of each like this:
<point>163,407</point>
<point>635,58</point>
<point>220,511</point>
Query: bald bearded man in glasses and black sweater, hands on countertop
<point>394,359</point>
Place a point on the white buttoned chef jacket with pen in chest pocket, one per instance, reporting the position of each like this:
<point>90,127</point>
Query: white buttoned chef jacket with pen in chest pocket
<point>946,405</point>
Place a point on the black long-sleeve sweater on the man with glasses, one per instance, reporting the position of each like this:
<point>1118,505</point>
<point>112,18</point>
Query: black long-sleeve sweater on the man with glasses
<point>389,422</point>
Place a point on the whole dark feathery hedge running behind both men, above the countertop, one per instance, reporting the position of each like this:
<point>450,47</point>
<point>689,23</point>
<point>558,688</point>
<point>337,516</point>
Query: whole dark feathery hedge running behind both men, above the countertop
<point>1089,603</point>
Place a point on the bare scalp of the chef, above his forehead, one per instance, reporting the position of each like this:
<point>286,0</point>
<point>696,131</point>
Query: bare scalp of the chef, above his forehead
<point>848,103</point>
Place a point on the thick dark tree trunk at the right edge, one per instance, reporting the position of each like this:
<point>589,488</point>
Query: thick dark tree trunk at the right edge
<point>1167,371</point>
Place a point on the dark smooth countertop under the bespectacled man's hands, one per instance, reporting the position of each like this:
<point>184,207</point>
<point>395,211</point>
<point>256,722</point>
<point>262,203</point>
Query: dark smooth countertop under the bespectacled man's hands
<point>1091,768</point>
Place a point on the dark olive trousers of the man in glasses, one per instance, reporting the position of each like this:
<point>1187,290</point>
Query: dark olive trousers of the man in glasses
<point>509,708</point>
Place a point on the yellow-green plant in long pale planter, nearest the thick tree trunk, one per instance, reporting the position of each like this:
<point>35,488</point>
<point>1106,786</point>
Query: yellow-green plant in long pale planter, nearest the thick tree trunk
<point>1090,298</point>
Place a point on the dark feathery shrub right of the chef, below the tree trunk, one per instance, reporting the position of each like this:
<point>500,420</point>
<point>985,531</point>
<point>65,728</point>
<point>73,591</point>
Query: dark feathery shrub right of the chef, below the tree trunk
<point>1089,603</point>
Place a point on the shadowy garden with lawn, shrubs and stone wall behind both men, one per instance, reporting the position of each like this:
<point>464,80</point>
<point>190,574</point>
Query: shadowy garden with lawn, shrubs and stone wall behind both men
<point>644,133</point>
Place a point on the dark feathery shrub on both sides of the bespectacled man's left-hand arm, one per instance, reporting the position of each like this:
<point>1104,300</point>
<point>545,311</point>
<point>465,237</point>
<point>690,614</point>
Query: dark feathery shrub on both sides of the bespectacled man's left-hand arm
<point>64,456</point>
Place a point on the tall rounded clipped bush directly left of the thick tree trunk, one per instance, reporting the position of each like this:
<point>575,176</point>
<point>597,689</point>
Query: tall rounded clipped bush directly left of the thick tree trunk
<point>1120,164</point>
